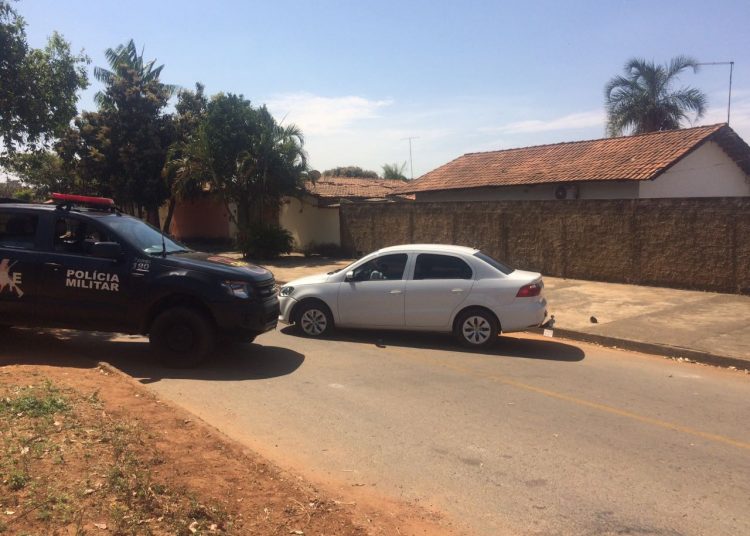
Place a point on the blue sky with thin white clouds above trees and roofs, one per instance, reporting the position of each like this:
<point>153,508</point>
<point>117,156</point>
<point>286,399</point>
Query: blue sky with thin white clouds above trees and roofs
<point>359,77</point>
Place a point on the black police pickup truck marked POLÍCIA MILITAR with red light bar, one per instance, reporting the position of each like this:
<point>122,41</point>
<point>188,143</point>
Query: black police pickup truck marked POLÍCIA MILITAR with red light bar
<point>80,263</point>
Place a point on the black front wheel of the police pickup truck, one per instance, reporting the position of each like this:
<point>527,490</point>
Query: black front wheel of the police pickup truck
<point>182,337</point>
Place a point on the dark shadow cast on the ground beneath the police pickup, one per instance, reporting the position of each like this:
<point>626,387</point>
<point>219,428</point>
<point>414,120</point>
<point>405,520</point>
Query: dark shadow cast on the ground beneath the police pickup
<point>132,355</point>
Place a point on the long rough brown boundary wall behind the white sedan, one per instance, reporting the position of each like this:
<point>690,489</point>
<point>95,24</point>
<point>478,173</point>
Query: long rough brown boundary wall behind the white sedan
<point>699,243</point>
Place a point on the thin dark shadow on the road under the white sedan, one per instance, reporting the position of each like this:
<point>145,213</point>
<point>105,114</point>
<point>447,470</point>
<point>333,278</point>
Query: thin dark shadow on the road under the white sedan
<point>507,346</point>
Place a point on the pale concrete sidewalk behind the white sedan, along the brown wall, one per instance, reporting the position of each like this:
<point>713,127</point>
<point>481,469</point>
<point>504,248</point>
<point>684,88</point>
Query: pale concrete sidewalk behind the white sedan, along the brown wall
<point>702,326</point>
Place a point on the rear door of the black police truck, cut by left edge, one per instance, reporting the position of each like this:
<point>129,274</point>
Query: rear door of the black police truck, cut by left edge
<point>19,266</point>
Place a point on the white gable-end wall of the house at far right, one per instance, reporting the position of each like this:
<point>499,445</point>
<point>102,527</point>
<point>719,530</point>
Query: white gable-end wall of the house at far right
<point>706,172</point>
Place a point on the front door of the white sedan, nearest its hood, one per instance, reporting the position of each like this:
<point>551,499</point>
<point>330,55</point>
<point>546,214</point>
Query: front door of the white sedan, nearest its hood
<point>374,297</point>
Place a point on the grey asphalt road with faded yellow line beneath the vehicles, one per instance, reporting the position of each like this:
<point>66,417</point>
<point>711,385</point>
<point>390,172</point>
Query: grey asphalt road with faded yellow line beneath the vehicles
<point>538,436</point>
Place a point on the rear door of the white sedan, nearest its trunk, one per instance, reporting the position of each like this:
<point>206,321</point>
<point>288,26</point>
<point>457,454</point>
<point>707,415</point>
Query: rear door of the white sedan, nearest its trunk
<point>441,282</point>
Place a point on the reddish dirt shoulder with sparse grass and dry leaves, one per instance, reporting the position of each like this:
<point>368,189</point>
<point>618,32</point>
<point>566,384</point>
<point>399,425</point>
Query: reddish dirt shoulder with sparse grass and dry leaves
<point>88,450</point>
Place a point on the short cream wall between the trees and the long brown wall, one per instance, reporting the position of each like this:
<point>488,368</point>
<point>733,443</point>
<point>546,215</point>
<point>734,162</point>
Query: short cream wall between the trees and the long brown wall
<point>309,223</point>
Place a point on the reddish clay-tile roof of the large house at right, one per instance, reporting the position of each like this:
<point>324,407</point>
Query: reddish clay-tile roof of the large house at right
<point>640,157</point>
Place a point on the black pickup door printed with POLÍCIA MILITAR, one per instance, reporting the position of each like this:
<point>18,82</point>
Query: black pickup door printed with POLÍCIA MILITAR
<point>81,290</point>
